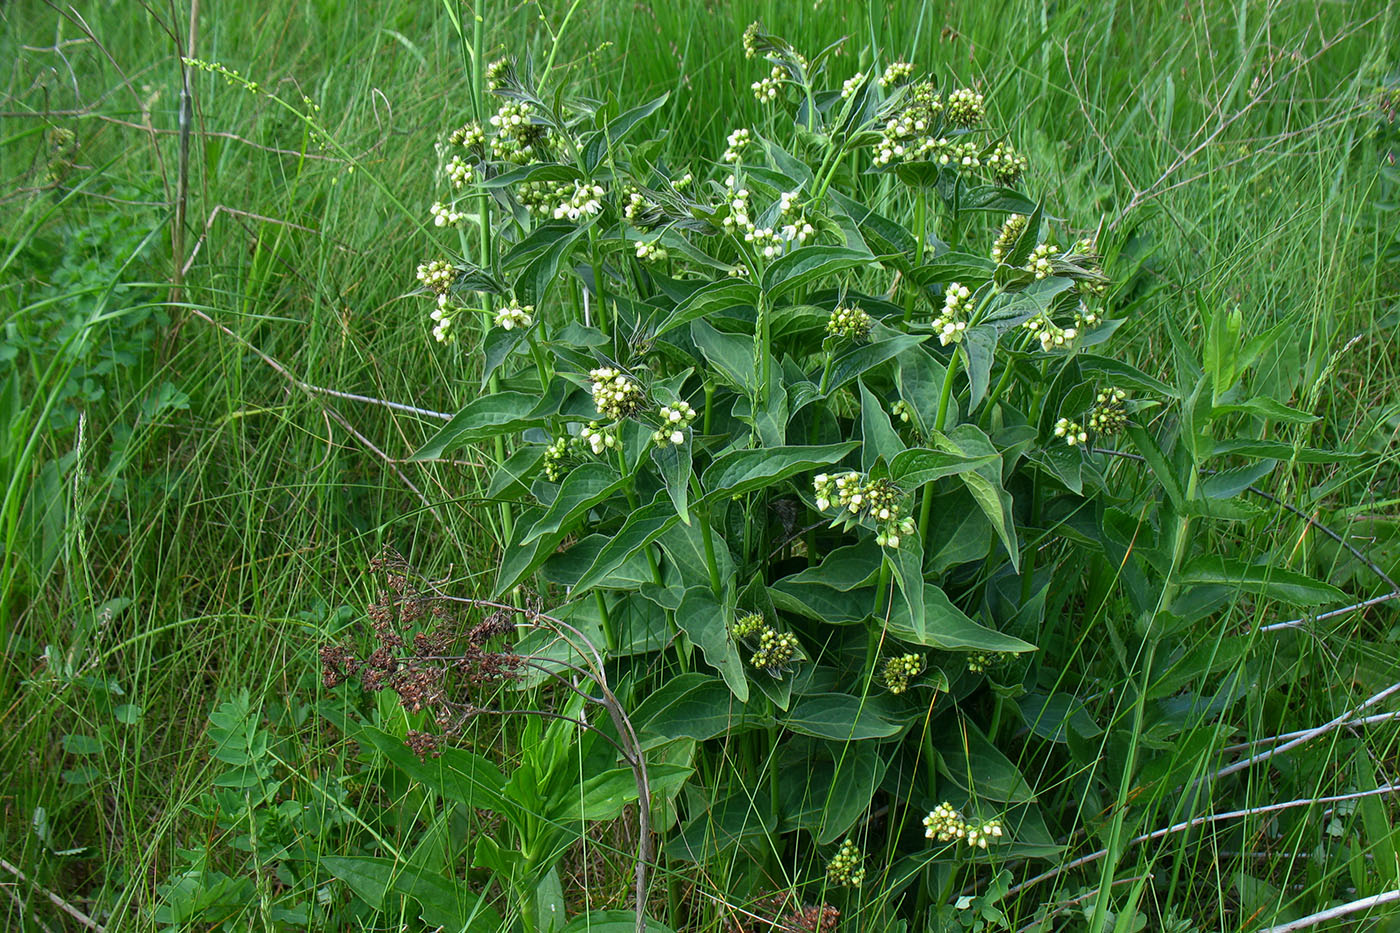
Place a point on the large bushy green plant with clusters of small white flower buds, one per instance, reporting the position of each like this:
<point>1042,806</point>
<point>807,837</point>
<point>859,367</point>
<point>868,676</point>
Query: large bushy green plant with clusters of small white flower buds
<point>811,477</point>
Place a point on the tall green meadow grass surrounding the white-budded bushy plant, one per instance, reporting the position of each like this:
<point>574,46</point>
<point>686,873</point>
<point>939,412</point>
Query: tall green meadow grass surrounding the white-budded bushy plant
<point>183,520</point>
